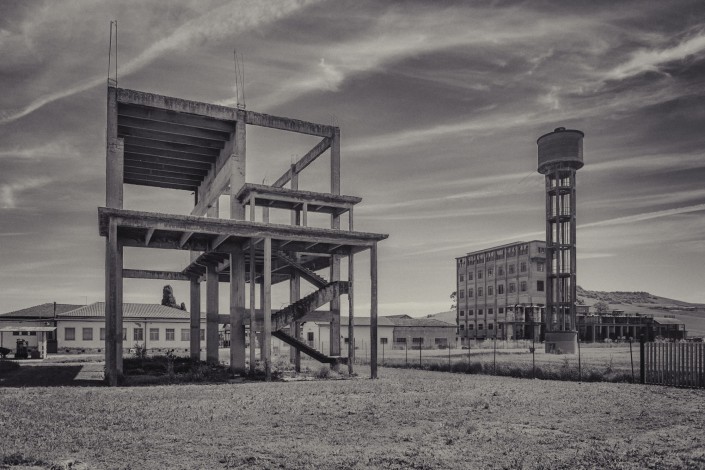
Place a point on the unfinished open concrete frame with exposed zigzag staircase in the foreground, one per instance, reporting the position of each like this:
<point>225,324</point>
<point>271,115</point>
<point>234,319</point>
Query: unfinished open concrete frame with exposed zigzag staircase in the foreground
<point>167,142</point>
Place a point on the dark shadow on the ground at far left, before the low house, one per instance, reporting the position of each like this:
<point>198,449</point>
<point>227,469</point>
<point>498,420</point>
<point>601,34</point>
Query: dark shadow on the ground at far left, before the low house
<point>54,375</point>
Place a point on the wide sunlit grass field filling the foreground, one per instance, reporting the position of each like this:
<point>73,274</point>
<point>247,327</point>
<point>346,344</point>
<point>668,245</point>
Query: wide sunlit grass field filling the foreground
<point>405,419</point>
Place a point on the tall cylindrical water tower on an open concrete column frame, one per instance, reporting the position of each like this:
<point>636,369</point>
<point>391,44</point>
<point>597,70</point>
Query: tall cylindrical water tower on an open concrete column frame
<point>560,156</point>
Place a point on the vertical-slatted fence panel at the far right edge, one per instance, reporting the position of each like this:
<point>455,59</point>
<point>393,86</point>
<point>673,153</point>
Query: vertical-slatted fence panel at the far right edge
<point>674,364</point>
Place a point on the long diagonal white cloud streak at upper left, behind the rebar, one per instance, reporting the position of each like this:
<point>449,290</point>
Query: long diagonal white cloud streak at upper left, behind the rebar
<point>227,20</point>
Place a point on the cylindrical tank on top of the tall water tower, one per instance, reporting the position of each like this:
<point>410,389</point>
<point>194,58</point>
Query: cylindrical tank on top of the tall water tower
<point>562,146</point>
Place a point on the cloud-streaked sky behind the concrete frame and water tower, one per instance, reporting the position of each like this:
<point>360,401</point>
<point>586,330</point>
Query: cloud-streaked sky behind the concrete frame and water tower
<point>439,104</point>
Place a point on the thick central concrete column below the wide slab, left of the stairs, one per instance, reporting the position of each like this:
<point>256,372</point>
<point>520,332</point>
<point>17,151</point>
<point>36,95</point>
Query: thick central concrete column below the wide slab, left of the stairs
<point>237,310</point>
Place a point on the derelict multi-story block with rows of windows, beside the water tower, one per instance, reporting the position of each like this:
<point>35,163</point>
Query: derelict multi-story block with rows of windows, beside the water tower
<point>501,292</point>
